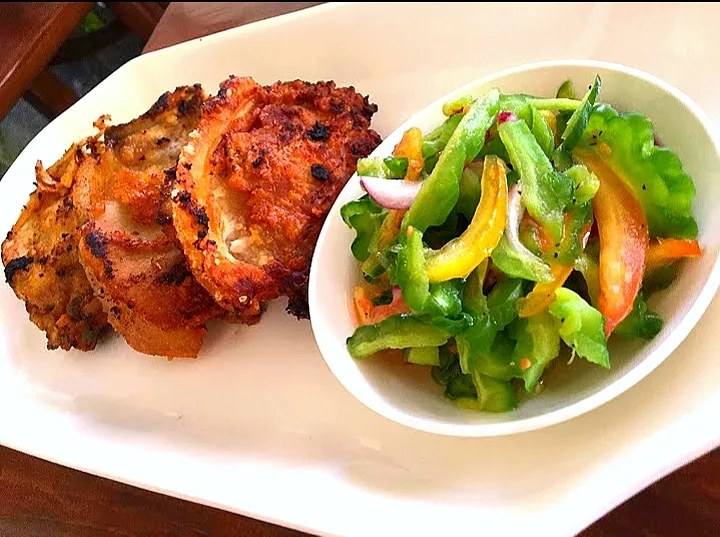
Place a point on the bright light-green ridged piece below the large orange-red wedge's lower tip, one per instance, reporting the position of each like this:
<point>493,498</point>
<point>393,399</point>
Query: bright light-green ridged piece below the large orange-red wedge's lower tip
<point>581,326</point>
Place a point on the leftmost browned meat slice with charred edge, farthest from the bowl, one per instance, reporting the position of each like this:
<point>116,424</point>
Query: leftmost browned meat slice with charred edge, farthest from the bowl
<point>40,255</point>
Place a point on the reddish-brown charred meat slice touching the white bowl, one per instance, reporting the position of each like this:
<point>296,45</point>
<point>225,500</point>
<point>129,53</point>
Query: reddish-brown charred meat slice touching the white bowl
<point>256,181</point>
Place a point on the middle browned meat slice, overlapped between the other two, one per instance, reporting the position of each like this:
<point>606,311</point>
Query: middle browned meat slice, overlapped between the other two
<point>150,296</point>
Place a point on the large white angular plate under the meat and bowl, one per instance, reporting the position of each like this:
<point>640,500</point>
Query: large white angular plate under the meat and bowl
<point>257,424</point>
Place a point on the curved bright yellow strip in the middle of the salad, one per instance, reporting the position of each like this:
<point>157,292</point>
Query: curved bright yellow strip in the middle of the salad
<point>461,255</point>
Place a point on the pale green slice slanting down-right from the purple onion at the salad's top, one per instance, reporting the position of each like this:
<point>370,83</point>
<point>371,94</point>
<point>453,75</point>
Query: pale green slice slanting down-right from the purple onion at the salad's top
<point>545,192</point>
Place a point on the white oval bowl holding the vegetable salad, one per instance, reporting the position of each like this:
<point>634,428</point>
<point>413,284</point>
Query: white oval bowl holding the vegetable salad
<point>407,394</point>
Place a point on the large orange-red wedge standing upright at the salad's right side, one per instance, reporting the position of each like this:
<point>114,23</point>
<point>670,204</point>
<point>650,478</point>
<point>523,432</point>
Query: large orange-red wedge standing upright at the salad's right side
<point>624,239</point>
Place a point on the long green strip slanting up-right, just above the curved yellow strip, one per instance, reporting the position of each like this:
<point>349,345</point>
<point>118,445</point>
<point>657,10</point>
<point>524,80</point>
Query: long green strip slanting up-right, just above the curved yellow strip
<point>440,191</point>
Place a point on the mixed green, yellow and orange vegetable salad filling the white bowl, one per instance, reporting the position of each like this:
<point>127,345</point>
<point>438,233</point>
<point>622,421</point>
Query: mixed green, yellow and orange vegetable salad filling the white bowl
<point>520,230</point>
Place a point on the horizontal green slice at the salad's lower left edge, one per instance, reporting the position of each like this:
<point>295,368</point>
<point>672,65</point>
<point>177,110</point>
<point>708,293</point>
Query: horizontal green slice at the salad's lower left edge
<point>395,332</point>
